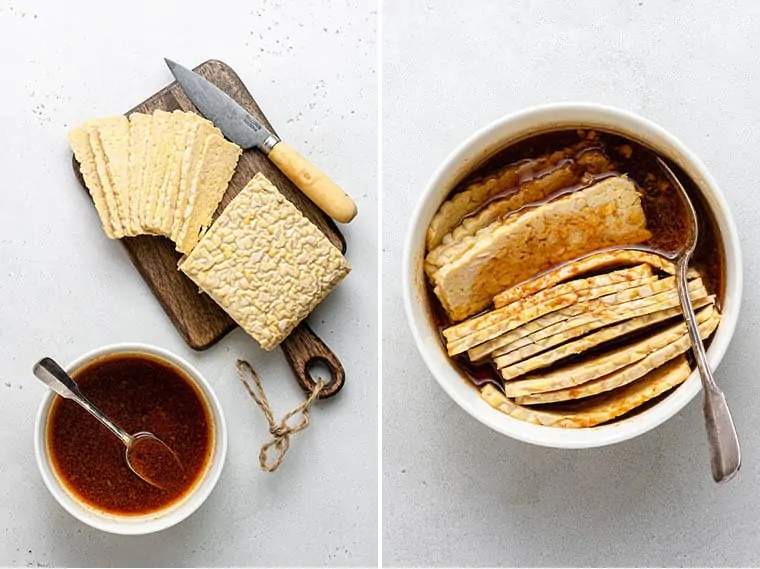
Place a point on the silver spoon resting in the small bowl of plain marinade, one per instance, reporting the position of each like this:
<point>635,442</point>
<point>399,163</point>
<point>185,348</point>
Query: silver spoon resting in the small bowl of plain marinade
<point>147,456</point>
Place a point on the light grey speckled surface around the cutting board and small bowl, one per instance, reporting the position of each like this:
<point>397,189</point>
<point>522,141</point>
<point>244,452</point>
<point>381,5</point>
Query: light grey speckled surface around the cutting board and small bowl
<point>65,288</point>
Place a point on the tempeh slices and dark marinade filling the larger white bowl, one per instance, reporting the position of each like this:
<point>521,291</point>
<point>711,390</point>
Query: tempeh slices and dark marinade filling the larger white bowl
<point>602,337</point>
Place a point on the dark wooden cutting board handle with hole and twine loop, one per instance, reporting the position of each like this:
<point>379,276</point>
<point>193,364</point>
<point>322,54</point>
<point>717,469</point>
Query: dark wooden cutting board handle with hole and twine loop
<point>303,348</point>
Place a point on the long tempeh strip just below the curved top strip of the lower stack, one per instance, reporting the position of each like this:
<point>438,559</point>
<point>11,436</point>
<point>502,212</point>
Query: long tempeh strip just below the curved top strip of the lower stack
<point>478,323</point>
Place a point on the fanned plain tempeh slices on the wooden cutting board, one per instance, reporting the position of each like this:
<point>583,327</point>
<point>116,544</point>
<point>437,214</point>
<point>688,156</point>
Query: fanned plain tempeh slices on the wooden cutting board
<point>159,174</point>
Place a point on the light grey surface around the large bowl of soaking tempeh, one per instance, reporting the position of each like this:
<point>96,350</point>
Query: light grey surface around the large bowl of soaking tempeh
<point>456,493</point>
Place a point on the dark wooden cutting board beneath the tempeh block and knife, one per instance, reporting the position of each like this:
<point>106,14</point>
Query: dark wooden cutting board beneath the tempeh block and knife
<point>196,316</point>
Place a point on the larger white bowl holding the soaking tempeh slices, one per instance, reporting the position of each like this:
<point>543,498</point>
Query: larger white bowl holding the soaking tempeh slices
<point>461,162</point>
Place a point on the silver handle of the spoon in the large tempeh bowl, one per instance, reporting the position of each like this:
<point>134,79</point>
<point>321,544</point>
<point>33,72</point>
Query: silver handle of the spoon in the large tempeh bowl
<point>725,453</point>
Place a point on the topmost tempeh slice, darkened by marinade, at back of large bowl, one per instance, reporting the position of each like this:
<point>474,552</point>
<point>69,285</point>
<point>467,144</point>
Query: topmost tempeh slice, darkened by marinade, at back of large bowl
<point>475,195</point>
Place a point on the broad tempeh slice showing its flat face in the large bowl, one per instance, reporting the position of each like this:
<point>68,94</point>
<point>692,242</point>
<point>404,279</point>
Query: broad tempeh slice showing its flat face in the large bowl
<point>606,214</point>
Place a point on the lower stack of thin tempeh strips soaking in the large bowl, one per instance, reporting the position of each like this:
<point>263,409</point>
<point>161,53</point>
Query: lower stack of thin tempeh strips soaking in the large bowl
<point>604,333</point>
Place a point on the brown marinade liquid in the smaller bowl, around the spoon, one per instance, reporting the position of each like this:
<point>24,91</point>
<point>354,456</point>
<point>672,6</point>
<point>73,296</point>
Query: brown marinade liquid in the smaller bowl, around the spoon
<point>140,394</point>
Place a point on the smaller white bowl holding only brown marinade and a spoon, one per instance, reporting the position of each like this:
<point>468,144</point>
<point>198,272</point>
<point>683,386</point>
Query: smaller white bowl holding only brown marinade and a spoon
<point>155,521</point>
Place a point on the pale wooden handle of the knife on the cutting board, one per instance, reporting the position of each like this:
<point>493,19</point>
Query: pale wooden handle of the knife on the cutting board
<point>320,189</point>
